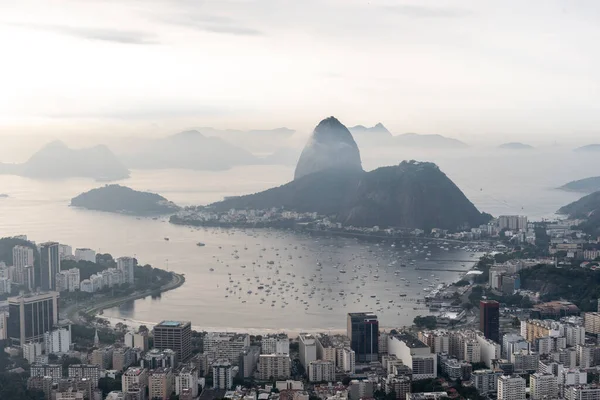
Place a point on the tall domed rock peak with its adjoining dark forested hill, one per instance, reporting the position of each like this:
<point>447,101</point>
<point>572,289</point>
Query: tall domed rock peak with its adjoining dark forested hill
<point>409,195</point>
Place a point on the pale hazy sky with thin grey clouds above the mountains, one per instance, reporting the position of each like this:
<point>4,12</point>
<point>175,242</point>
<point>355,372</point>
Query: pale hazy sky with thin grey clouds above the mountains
<point>460,68</point>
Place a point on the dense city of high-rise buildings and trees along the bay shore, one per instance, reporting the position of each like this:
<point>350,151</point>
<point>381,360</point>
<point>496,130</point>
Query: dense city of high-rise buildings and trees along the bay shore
<point>487,335</point>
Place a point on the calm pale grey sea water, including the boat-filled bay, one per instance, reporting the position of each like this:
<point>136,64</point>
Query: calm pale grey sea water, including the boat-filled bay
<point>496,182</point>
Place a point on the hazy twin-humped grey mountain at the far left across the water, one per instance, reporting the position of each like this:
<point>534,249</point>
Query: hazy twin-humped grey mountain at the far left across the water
<point>57,161</point>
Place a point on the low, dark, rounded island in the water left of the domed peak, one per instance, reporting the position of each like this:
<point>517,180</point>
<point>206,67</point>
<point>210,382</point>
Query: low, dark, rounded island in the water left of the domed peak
<point>124,200</point>
